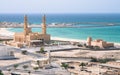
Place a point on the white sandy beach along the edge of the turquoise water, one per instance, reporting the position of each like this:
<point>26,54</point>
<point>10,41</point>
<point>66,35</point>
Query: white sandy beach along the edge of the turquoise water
<point>6,32</point>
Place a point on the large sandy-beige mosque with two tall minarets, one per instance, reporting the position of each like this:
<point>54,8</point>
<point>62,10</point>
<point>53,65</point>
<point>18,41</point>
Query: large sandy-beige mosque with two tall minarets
<point>29,38</point>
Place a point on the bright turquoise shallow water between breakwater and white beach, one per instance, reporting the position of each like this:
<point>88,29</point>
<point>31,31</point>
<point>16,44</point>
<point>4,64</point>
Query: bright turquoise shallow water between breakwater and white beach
<point>111,34</point>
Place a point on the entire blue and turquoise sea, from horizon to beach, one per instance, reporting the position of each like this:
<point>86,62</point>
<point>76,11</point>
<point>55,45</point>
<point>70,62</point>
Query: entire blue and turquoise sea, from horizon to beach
<point>107,33</point>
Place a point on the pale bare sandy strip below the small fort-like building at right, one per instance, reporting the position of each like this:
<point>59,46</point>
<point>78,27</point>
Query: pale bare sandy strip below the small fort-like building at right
<point>88,53</point>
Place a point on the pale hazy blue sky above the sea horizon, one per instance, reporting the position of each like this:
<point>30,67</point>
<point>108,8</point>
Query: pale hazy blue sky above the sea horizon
<point>59,6</point>
